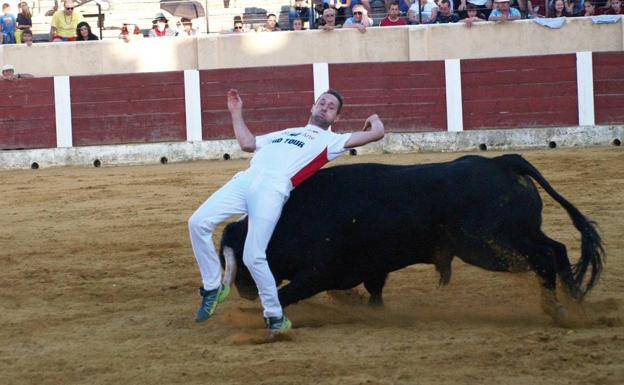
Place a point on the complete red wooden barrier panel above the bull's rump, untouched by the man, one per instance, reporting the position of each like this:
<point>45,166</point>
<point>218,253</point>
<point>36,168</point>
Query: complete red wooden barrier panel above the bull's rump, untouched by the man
<point>532,91</point>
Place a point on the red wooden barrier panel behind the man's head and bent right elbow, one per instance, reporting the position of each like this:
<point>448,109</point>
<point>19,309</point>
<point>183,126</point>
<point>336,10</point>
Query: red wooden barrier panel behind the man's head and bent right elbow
<point>408,96</point>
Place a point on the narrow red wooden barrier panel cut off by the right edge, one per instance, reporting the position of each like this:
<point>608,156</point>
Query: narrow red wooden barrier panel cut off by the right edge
<point>609,87</point>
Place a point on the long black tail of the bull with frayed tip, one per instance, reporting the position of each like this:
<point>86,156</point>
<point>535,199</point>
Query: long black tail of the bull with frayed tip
<point>592,251</point>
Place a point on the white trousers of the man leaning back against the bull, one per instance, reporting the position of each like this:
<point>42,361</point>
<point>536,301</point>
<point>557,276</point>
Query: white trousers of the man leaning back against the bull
<point>261,195</point>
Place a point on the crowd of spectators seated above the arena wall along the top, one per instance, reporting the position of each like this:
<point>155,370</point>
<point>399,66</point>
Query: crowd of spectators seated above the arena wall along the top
<point>67,24</point>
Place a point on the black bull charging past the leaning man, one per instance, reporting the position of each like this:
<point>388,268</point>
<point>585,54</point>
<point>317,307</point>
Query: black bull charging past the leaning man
<point>355,224</point>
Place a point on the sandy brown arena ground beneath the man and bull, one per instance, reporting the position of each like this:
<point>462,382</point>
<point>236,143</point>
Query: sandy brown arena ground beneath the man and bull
<point>98,285</point>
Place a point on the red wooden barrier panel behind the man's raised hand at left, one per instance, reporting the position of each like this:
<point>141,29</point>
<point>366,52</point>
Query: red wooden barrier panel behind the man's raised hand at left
<point>274,98</point>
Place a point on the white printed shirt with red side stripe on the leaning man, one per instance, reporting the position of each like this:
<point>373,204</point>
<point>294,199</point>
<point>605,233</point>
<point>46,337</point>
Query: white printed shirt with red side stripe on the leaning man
<point>298,153</point>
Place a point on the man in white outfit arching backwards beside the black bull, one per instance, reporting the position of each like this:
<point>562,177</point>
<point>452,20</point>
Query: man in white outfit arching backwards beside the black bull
<point>282,160</point>
